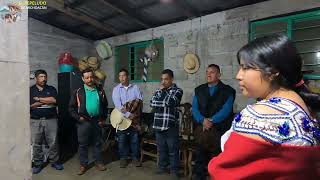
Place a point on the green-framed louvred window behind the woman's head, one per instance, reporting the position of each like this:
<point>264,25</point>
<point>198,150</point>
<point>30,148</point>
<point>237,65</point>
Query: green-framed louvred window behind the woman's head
<point>303,29</point>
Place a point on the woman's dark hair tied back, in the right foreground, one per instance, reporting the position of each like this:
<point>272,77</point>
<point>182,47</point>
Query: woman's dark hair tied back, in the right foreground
<point>277,56</point>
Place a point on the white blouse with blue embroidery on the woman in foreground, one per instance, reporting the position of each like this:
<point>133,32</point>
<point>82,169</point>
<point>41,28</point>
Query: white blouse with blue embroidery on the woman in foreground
<point>292,126</point>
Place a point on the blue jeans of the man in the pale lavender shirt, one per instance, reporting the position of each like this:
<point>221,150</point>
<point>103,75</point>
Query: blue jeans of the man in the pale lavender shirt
<point>127,139</point>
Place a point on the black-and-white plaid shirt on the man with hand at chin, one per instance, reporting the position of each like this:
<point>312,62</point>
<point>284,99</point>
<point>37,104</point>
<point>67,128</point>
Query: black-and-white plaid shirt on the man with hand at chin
<point>165,103</point>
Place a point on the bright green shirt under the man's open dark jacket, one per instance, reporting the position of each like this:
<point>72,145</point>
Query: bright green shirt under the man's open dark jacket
<point>92,101</point>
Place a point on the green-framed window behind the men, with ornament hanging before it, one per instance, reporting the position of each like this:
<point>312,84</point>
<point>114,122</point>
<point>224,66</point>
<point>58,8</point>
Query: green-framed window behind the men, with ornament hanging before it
<point>128,56</point>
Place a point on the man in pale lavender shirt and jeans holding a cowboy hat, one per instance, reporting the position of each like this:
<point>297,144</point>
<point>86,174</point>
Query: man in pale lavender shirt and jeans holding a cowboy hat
<point>123,94</point>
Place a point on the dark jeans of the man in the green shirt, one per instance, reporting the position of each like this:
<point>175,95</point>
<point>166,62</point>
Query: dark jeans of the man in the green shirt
<point>89,132</point>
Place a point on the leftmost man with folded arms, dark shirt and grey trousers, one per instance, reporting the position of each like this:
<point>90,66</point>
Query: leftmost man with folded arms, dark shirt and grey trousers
<point>44,123</point>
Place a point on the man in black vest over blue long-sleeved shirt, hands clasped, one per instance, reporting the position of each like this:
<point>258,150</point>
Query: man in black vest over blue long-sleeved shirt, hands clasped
<point>212,110</point>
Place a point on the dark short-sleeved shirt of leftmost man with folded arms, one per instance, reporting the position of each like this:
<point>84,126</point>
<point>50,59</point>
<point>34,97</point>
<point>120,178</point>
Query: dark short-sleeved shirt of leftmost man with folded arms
<point>46,111</point>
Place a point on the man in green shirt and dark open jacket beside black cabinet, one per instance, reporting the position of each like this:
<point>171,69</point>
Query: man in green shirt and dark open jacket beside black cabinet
<point>88,105</point>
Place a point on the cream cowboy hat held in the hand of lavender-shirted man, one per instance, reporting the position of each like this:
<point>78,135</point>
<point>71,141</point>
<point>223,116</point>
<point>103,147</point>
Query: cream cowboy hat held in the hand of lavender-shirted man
<point>118,121</point>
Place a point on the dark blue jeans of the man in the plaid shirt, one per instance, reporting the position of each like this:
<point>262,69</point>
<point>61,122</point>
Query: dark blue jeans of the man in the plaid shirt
<point>168,145</point>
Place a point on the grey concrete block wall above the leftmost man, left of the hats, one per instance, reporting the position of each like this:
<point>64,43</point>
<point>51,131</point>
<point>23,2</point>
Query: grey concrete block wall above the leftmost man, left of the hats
<point>47,43</point>
